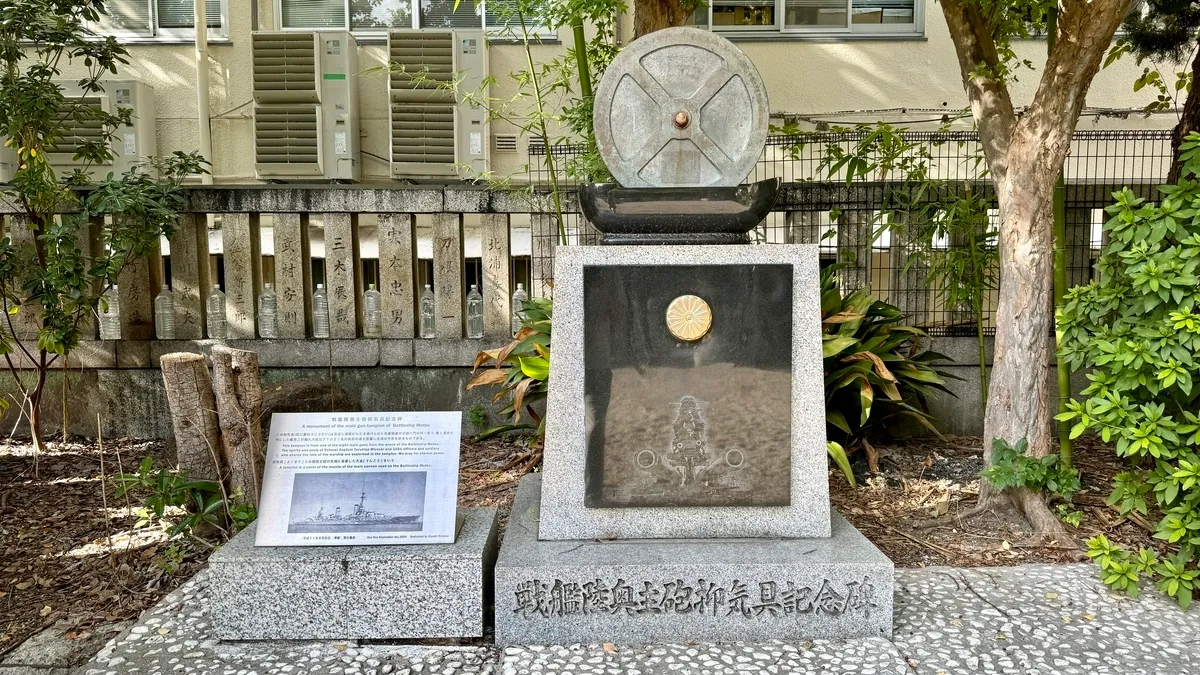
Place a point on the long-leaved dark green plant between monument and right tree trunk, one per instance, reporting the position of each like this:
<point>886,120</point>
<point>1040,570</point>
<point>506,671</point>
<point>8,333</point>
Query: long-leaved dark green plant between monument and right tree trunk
<point>873,371</point>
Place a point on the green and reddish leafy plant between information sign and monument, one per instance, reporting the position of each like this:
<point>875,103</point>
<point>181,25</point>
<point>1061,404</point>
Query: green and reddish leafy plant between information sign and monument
<point>521,371</point>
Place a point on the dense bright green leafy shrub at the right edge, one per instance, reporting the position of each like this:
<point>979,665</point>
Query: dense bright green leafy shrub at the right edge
<point>1138,331</point>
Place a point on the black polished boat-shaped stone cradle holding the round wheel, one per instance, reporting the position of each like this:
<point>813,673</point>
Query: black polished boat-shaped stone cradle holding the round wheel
<point>677,216</point>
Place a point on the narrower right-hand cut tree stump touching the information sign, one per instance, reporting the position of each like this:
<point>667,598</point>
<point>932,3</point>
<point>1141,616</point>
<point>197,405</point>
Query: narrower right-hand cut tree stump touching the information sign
<point>239,398</point>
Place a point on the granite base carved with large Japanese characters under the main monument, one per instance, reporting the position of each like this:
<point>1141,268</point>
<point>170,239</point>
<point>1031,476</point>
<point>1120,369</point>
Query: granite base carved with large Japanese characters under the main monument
<point>640,592</point>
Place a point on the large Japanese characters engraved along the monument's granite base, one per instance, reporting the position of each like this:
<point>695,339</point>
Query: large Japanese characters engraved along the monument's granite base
<point>739,600</point>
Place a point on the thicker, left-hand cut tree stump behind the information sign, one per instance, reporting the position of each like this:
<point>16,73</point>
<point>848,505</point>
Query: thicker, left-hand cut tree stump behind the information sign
<point>194,415</point>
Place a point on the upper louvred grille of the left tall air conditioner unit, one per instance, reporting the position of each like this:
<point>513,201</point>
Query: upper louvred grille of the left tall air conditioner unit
<point>285,67</point>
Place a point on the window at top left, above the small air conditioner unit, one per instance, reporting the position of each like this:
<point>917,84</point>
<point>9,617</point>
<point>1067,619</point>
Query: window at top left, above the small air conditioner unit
<point>160,19</point>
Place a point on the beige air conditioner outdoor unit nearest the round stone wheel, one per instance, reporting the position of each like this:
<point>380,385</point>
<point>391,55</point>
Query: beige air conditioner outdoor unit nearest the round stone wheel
<point>433,129</point>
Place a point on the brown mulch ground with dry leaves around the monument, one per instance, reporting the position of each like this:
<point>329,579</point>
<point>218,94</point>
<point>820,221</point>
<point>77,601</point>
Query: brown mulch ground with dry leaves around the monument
<point>57,565</point>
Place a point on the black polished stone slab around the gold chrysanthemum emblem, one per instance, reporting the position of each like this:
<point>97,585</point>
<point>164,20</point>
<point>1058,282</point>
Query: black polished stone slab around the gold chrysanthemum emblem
<point>673,423</point>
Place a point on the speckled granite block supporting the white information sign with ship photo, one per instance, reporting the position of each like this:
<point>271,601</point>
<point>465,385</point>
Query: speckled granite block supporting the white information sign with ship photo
<point>356,593</point>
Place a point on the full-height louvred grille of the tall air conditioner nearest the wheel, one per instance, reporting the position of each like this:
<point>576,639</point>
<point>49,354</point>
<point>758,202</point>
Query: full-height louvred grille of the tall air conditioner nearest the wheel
<point>423,101</point>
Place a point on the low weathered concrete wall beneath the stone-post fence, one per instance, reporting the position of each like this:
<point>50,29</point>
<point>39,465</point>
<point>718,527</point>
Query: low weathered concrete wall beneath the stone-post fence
<point>131,401</point>
